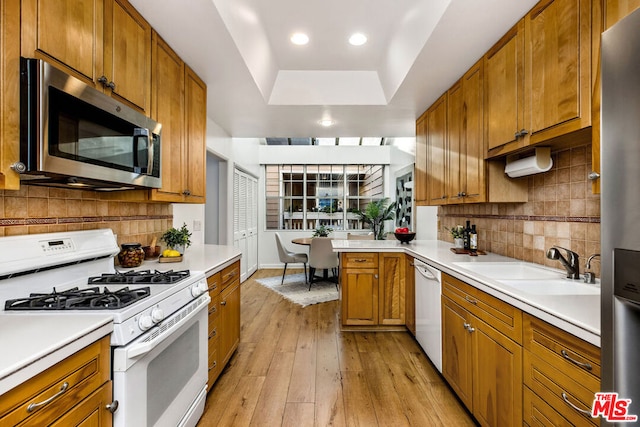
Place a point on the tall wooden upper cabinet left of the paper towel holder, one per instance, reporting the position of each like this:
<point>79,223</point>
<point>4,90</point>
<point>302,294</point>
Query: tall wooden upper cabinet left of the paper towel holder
<point>452,133</point>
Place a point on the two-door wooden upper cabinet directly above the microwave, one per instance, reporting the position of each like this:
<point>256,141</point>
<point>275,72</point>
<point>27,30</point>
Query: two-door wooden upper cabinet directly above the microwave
<point>106,43</point>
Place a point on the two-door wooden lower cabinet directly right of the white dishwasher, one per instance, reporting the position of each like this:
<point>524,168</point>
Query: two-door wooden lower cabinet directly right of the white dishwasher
<point>481,353</point>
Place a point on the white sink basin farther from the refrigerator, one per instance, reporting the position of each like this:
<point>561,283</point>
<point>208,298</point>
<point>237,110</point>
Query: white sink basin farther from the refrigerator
<point>510,270</point>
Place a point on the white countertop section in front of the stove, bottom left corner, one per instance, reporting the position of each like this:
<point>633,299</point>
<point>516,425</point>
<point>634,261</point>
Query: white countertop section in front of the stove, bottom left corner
<point>33,342</point>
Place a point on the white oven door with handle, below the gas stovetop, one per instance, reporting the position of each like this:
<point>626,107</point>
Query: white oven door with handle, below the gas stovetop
<point>159,379</point>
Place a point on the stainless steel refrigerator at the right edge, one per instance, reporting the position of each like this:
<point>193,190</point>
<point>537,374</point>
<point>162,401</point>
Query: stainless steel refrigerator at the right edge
<point>620,202</point>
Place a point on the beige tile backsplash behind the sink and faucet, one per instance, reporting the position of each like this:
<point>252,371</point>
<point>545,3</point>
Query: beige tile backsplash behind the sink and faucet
<point>561,211</point>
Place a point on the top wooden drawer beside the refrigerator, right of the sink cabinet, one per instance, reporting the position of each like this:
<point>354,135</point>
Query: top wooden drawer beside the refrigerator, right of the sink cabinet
<point>567,353</point>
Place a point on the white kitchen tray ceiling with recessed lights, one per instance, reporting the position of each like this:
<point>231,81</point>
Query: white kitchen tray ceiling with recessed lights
<point>261,85</point>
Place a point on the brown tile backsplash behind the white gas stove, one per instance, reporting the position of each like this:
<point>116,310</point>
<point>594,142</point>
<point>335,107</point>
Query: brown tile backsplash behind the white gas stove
<point>34,209</point>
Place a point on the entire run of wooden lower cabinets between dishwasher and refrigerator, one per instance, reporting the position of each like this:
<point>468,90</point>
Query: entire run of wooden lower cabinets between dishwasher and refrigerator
<point>510,368</point>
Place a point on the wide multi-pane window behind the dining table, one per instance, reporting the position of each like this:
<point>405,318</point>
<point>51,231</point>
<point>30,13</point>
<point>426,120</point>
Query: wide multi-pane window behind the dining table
<point>303,197</point>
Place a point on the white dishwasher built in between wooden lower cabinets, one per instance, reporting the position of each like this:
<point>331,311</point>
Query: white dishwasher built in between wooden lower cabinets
<point>428,311</point>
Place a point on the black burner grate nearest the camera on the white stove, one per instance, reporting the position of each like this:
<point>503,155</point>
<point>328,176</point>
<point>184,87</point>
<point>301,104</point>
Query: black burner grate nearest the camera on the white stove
<point>76,299</point>
